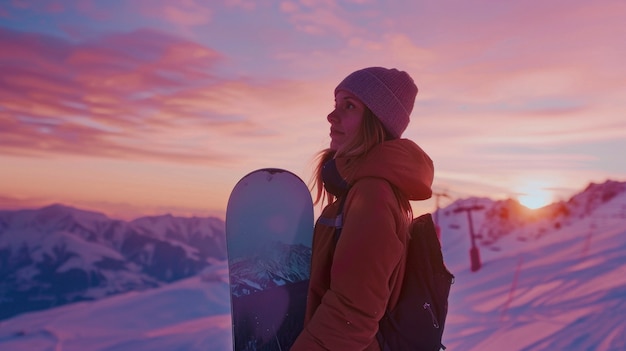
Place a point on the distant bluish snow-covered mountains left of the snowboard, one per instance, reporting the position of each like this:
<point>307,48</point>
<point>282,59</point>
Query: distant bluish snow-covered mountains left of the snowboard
<point>57,254</point>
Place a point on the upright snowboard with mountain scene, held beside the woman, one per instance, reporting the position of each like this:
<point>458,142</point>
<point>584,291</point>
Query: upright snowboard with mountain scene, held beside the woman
<point>269,230</point>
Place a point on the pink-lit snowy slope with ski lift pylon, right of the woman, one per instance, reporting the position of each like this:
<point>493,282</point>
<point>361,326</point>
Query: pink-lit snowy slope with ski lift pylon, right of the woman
<point>543,286</point>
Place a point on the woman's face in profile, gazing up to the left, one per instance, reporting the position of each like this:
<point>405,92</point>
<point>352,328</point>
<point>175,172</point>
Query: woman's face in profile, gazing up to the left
<point>345,119</point>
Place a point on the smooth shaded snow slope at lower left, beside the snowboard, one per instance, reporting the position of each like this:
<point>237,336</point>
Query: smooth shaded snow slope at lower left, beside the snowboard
<point>191,314</point>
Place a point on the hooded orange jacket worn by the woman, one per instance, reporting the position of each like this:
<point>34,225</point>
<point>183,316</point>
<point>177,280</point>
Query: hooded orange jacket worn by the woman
<point>355,281</point>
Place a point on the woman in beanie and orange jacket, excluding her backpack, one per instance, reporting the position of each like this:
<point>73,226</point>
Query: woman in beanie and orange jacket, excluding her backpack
<point>373,173</point>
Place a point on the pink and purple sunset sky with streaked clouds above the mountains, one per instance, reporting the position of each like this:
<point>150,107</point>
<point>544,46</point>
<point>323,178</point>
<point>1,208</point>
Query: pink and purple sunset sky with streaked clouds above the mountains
<point>148,107</point>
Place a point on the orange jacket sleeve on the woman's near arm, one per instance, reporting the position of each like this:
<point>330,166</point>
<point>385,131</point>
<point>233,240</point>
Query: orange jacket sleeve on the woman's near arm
<point>366,257</point>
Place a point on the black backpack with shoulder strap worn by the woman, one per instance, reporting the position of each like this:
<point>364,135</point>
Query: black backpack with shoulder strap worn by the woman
<point>416,323</point>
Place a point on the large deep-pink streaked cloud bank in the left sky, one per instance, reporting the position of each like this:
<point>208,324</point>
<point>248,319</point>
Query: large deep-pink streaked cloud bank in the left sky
<point>135,95</point>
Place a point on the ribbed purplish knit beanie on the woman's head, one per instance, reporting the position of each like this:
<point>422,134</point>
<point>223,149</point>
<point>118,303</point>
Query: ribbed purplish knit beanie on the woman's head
<point>388,93</point>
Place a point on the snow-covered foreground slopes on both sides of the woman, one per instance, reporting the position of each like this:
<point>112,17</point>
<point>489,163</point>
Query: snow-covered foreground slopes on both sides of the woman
<point>541,287</point>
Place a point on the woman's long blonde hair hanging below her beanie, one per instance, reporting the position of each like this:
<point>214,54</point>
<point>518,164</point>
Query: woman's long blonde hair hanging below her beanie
<point>370,133</point>
